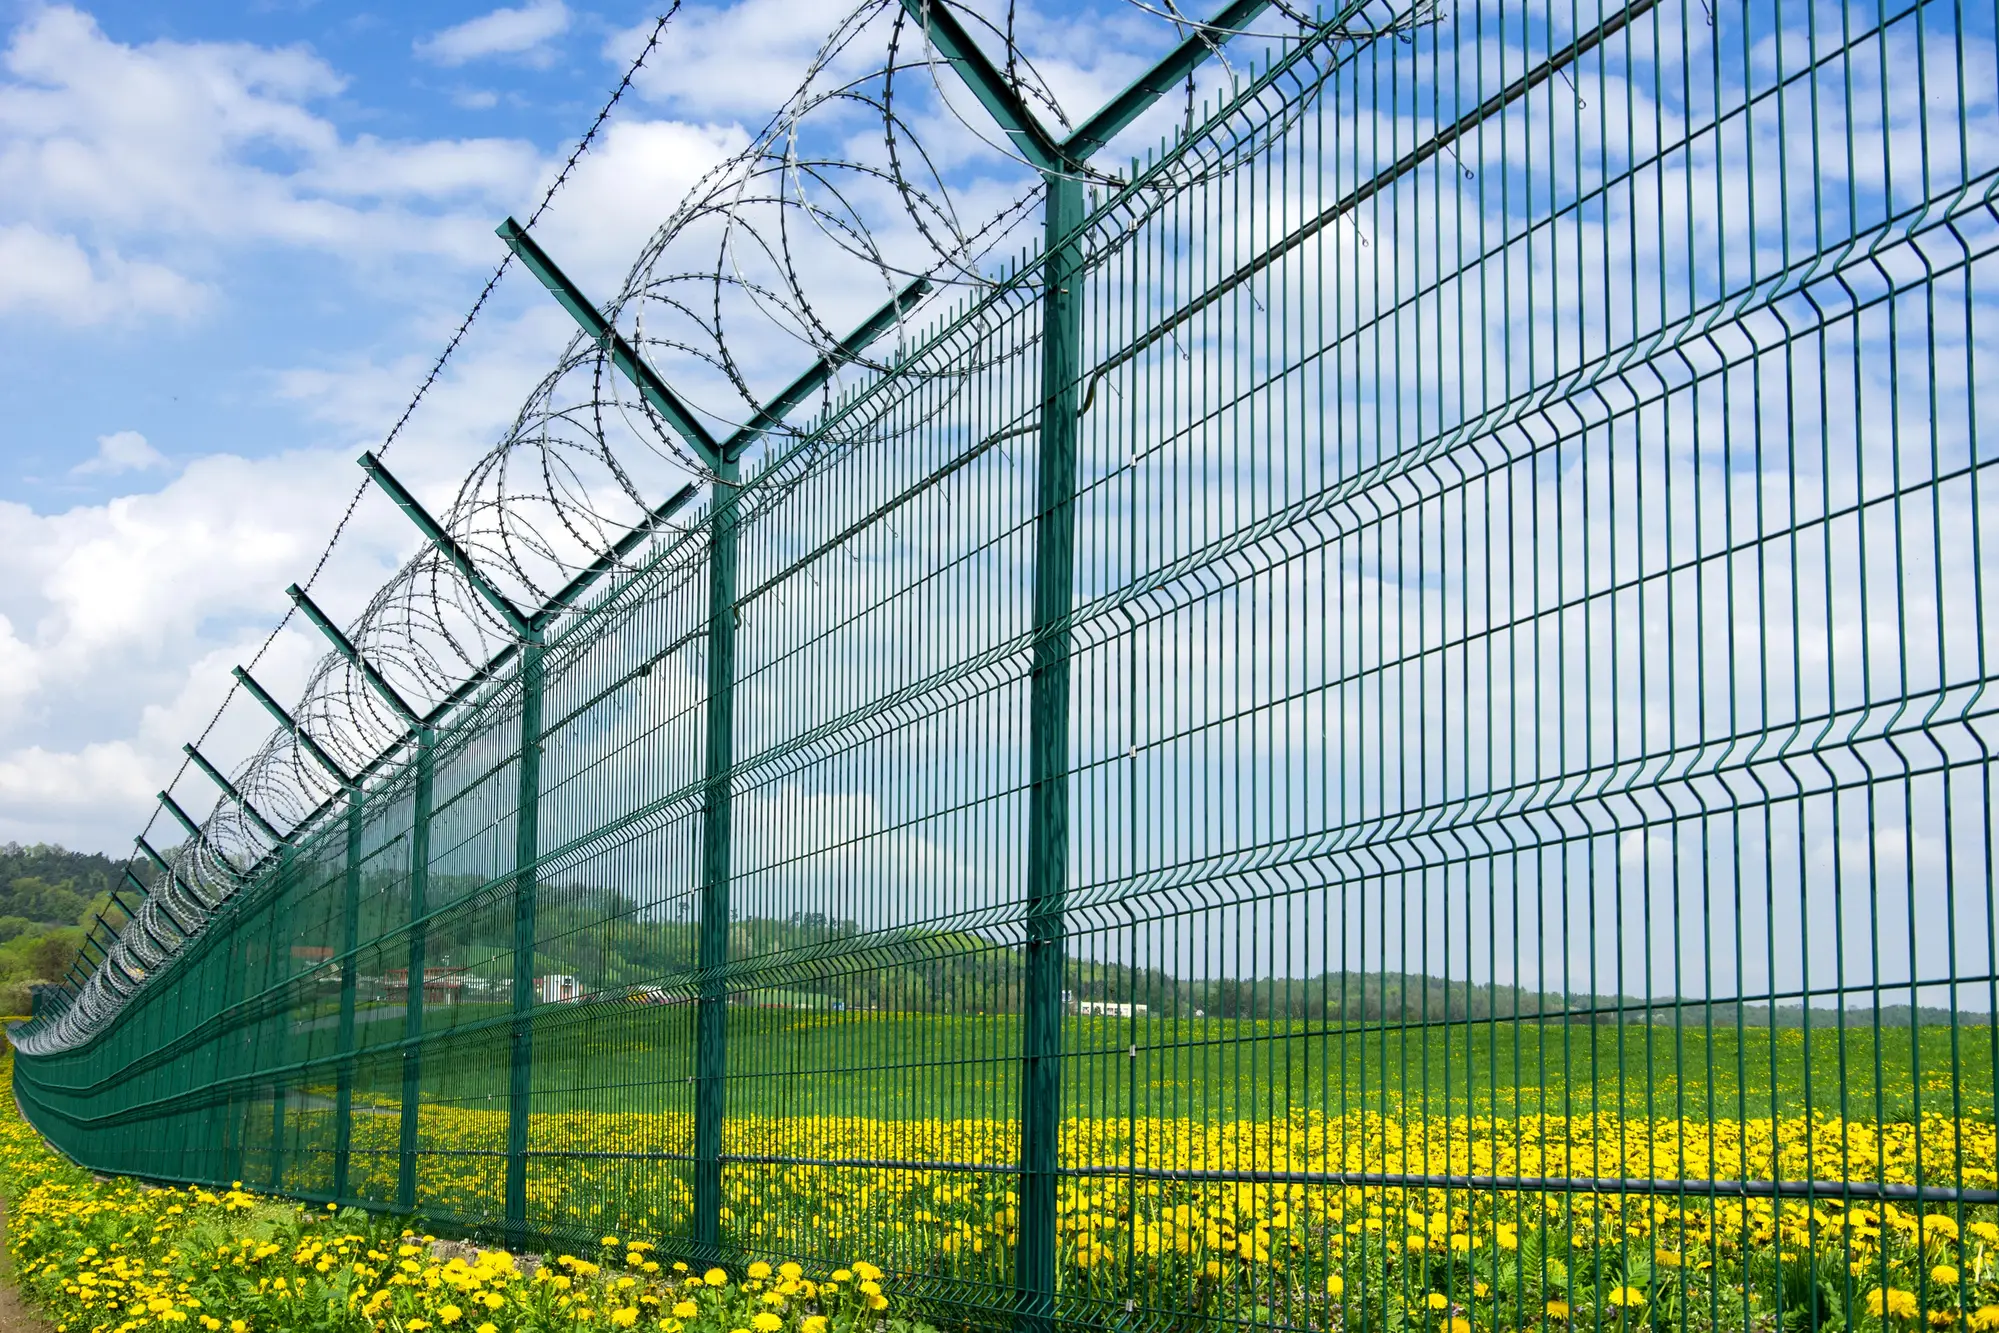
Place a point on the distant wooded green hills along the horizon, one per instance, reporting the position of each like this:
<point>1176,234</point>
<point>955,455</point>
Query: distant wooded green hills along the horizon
<point>613,942</point>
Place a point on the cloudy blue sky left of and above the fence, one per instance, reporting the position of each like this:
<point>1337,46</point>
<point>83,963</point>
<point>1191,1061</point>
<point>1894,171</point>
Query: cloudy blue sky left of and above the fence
<point>231,243</point>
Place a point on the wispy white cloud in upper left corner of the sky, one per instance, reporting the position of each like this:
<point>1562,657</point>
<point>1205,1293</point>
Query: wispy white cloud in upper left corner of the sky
<point>135,173</point>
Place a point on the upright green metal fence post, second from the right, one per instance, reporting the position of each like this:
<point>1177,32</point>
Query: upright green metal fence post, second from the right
<point>711,1034</point>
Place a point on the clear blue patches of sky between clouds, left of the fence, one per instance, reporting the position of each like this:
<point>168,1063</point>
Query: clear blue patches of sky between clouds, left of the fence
<point>207,377</point>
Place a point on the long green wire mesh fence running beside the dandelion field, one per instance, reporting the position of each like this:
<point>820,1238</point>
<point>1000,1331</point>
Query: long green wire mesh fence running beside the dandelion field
<point>1390,732</point>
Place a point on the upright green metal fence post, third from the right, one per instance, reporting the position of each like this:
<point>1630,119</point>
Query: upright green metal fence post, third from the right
<point>527,848</point>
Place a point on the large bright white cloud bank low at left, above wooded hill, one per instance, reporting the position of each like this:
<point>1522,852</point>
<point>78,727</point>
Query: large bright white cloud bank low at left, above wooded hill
<point>121,621</point>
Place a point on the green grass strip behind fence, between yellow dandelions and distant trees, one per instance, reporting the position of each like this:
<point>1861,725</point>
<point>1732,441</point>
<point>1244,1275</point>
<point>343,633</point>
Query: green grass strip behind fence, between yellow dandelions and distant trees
<point>897,1066</point>
